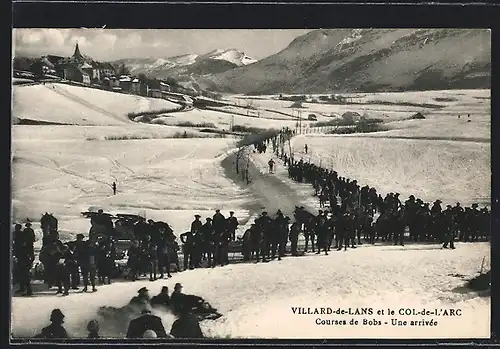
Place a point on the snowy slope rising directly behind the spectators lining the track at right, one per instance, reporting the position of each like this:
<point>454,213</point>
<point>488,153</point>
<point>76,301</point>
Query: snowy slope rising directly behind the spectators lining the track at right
<point>429,169</point>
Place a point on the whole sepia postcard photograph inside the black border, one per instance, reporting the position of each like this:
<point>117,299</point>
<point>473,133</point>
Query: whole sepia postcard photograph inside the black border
<point>250,183</point>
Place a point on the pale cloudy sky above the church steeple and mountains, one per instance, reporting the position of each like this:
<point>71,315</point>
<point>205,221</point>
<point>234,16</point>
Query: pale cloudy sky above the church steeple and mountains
<point>113,44</point>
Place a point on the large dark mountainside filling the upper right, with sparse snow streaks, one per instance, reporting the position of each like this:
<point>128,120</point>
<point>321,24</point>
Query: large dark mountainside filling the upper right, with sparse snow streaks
<point>368,60</point>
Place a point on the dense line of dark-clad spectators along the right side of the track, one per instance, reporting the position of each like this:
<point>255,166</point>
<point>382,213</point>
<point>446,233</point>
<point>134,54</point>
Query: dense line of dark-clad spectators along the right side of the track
<point>425,223</point>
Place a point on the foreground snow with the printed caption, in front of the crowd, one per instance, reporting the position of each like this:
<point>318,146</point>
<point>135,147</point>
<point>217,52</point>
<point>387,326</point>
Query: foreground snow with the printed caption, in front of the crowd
<point>256,300</point>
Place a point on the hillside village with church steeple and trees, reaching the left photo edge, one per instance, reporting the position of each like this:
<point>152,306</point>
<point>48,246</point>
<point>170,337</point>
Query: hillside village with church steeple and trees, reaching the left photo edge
<point>83,70</point>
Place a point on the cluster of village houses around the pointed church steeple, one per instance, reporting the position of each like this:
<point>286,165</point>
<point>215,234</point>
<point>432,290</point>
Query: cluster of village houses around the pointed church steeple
<point>83,69</point>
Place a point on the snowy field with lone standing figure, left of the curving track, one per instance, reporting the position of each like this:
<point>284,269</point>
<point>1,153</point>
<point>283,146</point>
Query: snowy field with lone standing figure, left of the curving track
<point>169,179</point>
